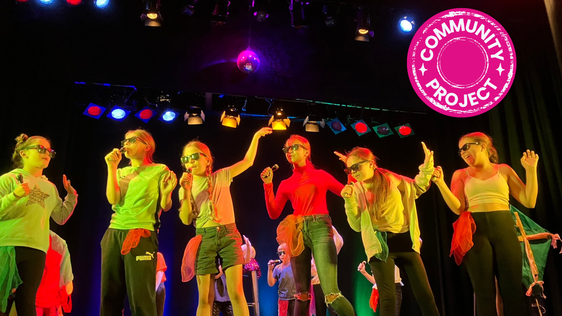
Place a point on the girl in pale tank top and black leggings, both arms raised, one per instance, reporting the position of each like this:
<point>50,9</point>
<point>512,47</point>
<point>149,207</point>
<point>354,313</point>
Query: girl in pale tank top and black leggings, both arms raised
<point>485,238</point>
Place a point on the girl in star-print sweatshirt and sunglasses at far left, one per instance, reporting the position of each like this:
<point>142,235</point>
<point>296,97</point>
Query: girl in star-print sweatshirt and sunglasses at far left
<point>27,200</point>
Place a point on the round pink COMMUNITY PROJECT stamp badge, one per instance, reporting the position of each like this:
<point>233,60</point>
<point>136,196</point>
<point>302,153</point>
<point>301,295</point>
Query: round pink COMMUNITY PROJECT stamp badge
<point>461,62</point>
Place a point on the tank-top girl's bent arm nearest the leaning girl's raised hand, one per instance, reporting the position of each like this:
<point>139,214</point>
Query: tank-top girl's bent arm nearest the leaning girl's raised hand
<point>454,198</point>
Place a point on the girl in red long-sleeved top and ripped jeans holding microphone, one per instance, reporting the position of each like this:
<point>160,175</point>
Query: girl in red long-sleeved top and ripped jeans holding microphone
<point>308,230</point>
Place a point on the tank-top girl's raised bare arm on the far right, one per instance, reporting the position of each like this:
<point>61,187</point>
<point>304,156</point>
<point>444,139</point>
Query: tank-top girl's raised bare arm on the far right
<point>527,193</point>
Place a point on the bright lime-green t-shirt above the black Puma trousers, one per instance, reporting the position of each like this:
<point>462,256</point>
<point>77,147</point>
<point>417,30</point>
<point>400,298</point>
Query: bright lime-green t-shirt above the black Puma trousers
<point>139,206</point>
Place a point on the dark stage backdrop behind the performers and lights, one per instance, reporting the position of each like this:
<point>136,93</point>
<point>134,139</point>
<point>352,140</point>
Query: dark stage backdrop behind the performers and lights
<point>46,51</point>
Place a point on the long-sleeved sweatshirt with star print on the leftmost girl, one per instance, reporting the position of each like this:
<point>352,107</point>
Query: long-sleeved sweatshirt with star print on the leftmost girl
<point>25,222</point>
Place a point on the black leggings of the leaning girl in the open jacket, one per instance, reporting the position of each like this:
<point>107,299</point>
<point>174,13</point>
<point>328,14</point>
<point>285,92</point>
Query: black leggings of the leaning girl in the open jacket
<point>409,261</point>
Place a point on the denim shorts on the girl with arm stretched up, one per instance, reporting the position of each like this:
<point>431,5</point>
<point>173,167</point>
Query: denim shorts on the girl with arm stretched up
<point>222,241</point>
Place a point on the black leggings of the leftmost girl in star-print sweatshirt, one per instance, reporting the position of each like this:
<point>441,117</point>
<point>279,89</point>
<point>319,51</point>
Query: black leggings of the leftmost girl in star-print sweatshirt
<point>31,263</point>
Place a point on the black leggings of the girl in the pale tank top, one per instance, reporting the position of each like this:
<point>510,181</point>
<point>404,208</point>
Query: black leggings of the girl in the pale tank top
<point>496,253</point>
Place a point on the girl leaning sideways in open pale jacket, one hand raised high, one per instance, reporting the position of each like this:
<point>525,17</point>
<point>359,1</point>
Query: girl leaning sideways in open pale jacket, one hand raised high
<point>381,205</point>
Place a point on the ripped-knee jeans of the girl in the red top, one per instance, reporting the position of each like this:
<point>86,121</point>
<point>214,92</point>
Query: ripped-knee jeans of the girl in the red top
<point>319,241</point>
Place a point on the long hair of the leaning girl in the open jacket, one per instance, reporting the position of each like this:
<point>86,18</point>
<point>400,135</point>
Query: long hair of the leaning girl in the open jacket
<point>381,183</point>
